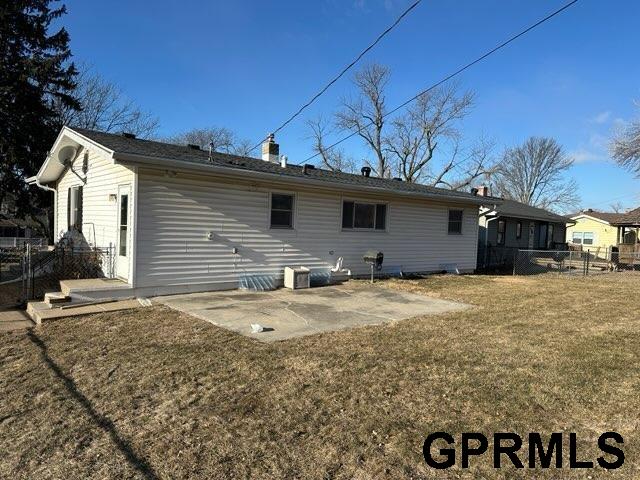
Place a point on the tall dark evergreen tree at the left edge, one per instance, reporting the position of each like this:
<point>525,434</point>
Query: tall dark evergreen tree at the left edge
<point>35,73</point>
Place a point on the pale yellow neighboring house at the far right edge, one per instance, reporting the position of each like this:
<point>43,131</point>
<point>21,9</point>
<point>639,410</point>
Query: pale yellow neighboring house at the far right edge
<point>600,231</point>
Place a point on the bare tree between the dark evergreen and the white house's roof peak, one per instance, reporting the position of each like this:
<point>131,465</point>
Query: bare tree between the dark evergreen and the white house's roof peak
<point>104,107</point>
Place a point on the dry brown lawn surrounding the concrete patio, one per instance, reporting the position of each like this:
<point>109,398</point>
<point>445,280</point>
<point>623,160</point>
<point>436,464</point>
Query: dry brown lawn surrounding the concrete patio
<point>153,393</point>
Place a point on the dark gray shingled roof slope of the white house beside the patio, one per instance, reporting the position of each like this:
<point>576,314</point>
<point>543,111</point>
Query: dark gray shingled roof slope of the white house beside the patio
<point>150,149</point>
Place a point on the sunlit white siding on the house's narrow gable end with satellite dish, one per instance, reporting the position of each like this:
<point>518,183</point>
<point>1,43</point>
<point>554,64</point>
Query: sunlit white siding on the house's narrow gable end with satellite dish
<point>99,213</point>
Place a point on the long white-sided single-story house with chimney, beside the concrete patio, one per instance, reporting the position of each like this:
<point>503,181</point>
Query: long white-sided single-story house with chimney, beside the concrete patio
<point>182,219</point>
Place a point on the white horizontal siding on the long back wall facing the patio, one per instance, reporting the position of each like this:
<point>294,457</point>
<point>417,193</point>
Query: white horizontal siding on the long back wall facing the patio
<point>175,214</point>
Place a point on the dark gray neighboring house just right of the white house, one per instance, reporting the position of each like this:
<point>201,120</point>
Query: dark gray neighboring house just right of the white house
<point>510,226</point>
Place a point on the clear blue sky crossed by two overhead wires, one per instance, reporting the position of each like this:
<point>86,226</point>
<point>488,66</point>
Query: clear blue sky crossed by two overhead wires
<point>247,65</point>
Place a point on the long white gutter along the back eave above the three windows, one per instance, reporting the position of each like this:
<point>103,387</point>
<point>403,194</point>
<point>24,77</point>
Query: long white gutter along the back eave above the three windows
<point>160,162</point>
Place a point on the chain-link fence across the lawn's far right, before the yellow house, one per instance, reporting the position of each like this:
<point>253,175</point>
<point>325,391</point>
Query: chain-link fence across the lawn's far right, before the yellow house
<point>571,262</point>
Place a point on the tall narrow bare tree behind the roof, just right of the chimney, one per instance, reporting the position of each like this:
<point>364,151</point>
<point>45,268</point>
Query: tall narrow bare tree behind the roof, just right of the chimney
<point>365,114</point>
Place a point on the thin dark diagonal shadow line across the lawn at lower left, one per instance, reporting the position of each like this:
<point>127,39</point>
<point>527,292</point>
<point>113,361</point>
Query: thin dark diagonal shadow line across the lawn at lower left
<point>137,462</point>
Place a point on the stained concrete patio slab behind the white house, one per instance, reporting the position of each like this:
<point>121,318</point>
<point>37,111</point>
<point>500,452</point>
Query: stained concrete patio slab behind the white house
<point>286,314</point>
